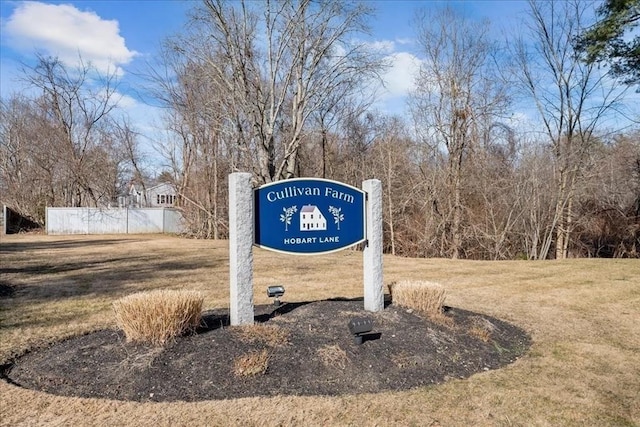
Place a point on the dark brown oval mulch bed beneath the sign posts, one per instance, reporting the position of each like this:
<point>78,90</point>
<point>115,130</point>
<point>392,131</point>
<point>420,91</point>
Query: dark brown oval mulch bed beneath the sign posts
<point>320,358</point>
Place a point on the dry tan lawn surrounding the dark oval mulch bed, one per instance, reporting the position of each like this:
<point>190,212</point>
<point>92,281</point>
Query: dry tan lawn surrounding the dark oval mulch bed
<point>583,316</point>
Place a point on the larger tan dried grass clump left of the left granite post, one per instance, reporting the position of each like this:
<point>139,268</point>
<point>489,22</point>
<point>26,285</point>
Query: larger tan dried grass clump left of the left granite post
<point>158,316</point>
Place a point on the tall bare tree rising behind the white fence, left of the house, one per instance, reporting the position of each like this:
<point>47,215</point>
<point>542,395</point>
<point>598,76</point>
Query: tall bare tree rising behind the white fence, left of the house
<point>77,104</point>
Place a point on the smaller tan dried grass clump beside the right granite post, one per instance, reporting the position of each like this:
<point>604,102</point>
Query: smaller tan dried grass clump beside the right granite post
<point>427,298</point>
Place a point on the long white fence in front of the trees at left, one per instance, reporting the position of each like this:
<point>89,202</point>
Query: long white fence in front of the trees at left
<point>113,220</point>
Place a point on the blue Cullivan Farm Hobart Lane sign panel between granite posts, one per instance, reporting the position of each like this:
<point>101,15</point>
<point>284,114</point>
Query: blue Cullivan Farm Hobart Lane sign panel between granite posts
<point>308,216</point>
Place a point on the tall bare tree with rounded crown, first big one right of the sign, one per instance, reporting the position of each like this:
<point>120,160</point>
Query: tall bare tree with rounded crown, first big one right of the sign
<point>457,95</point>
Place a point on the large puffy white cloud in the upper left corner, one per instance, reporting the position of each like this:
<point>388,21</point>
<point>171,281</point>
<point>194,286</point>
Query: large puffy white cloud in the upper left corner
<point>66,32</point>
